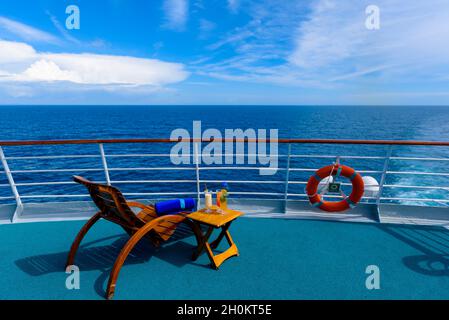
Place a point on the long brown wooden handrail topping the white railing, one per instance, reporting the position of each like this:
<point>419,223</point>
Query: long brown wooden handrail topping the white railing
<point>294,141</point>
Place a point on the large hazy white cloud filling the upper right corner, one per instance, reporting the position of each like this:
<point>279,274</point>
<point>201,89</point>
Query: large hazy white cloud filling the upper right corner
<point>334,37</point>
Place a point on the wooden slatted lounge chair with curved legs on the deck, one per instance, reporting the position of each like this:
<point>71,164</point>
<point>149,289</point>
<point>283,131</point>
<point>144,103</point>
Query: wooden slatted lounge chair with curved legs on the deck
<point>113,207</point>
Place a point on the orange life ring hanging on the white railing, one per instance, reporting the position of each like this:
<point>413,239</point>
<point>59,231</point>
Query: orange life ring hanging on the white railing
<point>337,170</point>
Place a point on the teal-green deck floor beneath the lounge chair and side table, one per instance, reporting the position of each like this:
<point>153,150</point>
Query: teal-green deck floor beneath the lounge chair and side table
<point>279,259</point>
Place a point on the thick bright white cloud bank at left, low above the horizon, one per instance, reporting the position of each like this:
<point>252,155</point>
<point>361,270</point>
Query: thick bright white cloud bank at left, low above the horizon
<point>21,63</point>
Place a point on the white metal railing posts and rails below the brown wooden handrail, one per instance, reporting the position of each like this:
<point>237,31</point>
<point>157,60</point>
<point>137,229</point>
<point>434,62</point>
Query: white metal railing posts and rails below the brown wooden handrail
<point>286,195</point>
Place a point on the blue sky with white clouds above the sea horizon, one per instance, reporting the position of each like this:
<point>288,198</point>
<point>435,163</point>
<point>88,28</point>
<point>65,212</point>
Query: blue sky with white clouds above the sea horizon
<point>224,52</point>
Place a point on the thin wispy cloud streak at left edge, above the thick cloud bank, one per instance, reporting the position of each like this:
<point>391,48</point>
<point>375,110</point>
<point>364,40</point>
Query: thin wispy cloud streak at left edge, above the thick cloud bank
<point>26,32</point>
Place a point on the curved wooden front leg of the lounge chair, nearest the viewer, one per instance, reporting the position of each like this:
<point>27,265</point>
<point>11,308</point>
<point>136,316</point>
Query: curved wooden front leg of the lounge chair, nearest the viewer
<point>130,245</point>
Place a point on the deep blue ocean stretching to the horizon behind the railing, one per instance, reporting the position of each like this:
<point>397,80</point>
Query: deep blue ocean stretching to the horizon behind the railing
<point>120,122</point>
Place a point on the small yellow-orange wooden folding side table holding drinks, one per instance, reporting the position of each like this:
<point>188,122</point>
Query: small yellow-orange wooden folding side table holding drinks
<point>215,218</point>
